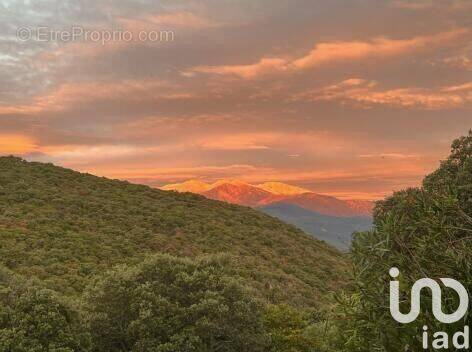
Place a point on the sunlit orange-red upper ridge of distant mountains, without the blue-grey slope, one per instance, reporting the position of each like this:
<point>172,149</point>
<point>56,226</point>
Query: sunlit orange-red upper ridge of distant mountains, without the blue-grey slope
<point>238,192</point>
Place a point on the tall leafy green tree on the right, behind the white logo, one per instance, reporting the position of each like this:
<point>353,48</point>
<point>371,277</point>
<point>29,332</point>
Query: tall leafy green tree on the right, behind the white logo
<point>425,232</point>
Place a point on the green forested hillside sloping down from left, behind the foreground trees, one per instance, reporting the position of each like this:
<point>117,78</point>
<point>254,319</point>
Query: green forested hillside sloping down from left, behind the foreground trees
<point>63,227</point>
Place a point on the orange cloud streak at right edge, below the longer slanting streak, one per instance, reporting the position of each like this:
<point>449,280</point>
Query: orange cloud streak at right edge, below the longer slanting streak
<point>364,94</point>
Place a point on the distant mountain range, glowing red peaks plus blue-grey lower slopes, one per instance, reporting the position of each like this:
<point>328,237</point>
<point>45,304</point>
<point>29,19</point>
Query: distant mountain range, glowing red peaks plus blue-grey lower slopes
<point>325,217</point>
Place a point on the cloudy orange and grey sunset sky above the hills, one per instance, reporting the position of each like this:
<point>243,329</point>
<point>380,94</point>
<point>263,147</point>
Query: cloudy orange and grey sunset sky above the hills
<point>353,98</point>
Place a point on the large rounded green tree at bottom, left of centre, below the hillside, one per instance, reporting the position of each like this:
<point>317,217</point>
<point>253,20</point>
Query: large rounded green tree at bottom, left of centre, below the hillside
<point>173,304</point>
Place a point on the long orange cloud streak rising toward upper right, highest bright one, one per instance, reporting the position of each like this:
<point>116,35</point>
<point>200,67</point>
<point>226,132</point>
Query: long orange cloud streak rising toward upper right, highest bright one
<point>333,52</point>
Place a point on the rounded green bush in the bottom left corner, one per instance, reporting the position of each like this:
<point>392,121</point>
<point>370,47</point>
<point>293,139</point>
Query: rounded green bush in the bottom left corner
<point>34,319</point>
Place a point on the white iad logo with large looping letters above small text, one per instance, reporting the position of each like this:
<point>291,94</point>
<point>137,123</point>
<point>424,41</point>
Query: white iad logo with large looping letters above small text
<point>441,339</point>
